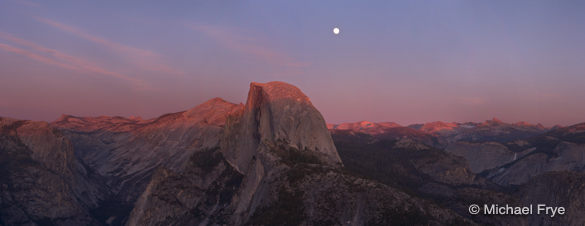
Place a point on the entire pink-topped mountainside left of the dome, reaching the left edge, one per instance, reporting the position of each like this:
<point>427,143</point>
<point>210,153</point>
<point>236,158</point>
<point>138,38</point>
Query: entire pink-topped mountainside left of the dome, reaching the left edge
<point>91,170</point>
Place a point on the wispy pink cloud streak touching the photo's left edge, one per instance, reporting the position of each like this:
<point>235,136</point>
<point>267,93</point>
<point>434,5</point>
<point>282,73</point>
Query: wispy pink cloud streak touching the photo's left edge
<point>57,58</point>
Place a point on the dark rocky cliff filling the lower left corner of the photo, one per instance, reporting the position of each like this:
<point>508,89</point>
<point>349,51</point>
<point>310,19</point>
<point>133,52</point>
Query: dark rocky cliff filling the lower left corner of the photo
<point>41,180</point>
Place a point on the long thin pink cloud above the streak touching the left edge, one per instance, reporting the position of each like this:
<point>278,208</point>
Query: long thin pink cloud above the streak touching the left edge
<point>140,58</point>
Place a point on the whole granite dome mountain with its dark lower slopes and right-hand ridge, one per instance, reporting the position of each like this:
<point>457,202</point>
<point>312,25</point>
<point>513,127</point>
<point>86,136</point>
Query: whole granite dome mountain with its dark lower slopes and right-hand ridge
<point>276,165</point>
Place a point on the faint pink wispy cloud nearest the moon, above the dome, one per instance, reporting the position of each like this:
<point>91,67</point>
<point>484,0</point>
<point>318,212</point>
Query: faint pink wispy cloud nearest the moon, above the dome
<point>246,45</point>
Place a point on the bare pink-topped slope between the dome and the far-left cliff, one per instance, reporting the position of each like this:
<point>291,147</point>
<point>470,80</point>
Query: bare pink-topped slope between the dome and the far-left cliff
<point>125,153</point>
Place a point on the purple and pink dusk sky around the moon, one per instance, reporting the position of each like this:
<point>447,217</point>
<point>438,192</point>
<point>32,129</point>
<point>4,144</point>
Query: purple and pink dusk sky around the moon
<point>401,61</point>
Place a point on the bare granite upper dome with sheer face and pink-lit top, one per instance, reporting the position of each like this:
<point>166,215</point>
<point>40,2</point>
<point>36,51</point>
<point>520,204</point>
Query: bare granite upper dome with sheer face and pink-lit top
<point>277,113</point>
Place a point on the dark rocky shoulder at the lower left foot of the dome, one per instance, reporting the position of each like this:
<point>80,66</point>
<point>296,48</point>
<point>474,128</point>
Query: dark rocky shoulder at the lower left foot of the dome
<point>202,194</point>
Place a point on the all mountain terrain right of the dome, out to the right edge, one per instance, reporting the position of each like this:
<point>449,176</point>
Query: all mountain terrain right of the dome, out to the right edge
<point>490,162</point>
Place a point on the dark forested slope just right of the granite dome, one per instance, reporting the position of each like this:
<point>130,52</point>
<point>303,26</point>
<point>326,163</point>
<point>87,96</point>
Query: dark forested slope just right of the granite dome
<point>402,162</point>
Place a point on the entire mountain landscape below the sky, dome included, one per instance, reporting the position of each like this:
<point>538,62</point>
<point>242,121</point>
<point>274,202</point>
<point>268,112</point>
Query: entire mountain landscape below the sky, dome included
<point>274,161</point>
